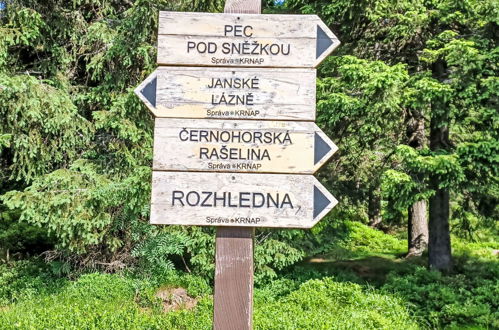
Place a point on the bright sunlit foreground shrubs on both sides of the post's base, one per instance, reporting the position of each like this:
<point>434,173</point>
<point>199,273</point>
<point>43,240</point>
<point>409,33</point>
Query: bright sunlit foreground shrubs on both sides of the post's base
<point>101,301</point>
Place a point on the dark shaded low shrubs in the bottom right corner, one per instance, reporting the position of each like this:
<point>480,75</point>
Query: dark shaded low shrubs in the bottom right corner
<point>457,300</point>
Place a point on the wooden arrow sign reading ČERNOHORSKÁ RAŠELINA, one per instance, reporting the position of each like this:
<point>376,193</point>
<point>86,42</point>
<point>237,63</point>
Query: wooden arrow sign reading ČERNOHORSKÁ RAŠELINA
<point>240,146</point>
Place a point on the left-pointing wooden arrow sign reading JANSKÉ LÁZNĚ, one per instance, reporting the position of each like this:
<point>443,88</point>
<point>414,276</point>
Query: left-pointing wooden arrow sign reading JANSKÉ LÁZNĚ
<point>238,93</point>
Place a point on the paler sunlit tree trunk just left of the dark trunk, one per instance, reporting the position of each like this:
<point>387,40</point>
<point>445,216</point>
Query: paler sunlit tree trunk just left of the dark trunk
<point>417,229</point>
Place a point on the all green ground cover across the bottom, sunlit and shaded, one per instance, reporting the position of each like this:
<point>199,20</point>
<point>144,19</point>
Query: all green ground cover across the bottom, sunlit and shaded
<point>362,283</point>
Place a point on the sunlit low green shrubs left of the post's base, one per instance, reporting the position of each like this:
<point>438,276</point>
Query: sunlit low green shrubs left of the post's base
<point>101,301</point>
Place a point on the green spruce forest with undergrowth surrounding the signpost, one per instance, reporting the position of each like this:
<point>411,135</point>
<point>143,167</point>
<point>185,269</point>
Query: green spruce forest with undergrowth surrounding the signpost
<point>410,98</point>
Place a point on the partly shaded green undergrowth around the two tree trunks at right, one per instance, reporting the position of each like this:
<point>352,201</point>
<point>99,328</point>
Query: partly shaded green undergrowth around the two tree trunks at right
<point>466,298</point>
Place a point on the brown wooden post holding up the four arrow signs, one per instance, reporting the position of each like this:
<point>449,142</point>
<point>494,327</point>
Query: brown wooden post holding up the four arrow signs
<point>233,300</point>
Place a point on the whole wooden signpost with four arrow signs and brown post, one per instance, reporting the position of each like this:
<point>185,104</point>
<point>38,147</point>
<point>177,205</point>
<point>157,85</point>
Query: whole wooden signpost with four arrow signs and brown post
<point>234,140</point>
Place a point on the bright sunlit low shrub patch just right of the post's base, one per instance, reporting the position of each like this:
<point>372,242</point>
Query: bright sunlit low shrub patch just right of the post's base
<point>326,304</point>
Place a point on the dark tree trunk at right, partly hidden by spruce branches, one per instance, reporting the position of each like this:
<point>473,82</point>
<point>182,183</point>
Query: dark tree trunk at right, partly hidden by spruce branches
<point>439,249</point>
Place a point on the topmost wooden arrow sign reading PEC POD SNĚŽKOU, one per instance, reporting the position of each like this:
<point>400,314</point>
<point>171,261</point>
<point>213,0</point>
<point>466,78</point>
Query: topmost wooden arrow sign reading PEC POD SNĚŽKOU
<point>243,40</point>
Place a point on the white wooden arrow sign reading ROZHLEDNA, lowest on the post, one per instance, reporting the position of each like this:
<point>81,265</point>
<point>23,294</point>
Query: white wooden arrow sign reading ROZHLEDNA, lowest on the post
<point>236,199</point>
